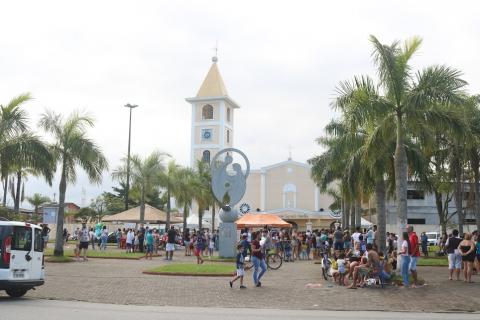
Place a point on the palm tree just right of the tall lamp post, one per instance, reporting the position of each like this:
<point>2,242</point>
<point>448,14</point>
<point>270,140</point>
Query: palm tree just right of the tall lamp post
<point>145,176</point>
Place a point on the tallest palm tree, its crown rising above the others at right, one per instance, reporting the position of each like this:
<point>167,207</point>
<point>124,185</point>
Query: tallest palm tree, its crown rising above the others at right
<point>409,100</point>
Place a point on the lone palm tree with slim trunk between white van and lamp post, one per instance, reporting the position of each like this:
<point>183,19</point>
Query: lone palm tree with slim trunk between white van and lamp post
<point>72,148</point>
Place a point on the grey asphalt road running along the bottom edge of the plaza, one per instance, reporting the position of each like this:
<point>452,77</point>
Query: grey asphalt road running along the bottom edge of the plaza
<point>38,309</point>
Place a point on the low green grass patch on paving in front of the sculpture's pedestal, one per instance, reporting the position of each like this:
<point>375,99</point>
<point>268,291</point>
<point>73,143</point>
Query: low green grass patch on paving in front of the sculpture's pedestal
<point>195,269</point>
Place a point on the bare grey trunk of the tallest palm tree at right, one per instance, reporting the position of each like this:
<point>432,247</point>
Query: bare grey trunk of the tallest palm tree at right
<point>401,180</point>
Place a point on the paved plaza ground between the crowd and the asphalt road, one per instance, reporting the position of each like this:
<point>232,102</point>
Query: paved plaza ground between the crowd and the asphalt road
<point>122,282</point>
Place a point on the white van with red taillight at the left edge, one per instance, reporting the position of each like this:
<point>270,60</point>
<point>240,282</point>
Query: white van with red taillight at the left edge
<point>21,257</point>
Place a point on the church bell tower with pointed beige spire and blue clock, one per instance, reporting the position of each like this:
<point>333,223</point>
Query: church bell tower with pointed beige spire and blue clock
<point>212,117</point>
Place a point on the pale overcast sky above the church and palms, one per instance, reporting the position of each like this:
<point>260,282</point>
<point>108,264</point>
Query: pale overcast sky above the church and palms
<point>280,60</point>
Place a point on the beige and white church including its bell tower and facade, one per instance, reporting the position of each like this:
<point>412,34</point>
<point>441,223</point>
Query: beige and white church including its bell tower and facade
<point>285,189</point>
